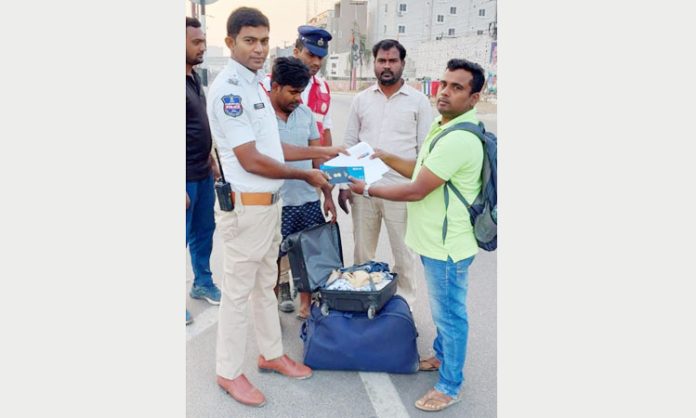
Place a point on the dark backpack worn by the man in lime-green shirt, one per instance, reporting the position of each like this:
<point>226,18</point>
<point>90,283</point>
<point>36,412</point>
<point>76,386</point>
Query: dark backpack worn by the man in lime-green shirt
<point>484,210</point>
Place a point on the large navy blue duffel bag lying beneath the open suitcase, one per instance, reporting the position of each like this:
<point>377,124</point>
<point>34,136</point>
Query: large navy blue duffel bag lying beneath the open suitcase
<point>351,341</point>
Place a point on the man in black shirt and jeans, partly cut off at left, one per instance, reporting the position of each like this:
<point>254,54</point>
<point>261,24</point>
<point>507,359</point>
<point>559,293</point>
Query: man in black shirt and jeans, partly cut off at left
<point>200,172</point>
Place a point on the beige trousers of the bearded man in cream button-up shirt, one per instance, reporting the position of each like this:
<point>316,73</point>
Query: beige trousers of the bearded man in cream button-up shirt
<point>367,223</point>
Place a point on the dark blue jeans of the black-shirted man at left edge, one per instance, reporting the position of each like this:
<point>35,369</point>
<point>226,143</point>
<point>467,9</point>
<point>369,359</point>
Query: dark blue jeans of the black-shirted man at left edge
<point>200,225</point>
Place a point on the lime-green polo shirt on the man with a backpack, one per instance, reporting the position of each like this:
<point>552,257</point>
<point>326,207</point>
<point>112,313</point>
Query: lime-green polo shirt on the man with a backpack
<point>458,157</point>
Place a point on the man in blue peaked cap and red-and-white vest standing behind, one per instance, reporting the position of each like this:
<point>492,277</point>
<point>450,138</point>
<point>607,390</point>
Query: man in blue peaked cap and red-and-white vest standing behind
<point>311,48</point>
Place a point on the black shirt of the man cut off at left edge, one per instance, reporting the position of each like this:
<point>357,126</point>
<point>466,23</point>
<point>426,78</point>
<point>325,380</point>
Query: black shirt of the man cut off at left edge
<point>199,141</point>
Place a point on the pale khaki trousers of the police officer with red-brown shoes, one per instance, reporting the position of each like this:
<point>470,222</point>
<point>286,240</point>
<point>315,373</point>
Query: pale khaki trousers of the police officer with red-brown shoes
<point>251,235</point>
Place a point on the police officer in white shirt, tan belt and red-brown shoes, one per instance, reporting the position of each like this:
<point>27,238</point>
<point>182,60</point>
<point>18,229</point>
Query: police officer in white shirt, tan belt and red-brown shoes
<point>244,126</point>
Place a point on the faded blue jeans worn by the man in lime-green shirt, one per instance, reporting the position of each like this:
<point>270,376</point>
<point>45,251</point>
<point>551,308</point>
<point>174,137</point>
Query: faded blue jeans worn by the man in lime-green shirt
<point>447,285</point>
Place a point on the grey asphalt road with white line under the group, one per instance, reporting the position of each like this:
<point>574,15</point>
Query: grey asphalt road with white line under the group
<point>348,394</point>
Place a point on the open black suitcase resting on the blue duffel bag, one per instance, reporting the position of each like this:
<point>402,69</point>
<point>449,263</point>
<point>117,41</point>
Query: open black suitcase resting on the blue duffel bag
<point>313,254</point>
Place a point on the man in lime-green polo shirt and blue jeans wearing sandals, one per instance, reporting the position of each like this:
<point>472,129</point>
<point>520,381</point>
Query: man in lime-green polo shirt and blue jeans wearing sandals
<point>458,157</point>
